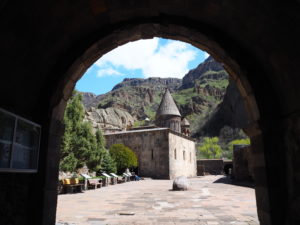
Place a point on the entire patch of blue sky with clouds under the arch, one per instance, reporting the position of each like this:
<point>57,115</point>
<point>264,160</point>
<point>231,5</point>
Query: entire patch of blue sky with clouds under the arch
<point>155,57</point>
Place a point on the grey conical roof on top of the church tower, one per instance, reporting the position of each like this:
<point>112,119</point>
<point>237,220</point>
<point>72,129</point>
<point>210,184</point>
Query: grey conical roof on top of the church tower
<point>167,106</point>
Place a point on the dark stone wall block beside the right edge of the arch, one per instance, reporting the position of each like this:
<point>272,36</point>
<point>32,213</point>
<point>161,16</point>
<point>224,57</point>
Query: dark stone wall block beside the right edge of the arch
<point>242,162</point>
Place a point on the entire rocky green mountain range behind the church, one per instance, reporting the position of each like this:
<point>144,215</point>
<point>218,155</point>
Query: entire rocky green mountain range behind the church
<point>199,97</point>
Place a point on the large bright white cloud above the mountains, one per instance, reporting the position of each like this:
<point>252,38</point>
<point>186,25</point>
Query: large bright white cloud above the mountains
<point>169,60</point>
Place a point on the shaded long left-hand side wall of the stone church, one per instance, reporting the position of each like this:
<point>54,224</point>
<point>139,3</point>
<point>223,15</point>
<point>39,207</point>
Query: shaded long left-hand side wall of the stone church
<point>151,148</point>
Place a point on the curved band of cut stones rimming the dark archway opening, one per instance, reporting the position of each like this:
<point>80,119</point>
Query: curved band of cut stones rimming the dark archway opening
<point>178,32</point>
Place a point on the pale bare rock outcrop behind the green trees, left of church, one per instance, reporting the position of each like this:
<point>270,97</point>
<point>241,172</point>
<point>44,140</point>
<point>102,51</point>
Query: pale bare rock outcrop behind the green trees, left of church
<point>109,120</point>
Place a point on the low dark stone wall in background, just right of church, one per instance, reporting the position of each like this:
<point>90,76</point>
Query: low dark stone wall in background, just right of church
<point>209,166</point>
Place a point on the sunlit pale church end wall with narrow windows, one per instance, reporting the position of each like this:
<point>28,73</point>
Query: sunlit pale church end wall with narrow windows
<point>182,156</point>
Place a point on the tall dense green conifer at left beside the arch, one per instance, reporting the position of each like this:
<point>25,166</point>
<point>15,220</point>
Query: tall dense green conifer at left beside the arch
<point>79,144</point>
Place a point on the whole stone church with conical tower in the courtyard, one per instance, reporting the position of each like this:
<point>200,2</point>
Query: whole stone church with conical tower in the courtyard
<point>165,150</point>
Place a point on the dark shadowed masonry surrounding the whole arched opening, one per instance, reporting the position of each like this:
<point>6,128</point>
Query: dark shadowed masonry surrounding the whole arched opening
<point>46,46</point>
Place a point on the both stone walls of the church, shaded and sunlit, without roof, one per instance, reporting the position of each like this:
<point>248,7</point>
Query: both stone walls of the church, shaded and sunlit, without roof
<point>155,149</point>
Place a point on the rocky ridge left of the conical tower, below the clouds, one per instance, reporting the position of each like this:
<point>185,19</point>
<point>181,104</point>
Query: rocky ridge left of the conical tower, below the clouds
<point>139,97</point>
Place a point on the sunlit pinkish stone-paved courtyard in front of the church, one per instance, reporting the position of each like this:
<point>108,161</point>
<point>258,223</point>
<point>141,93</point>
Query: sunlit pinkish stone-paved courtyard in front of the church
<point>210,201</point>
